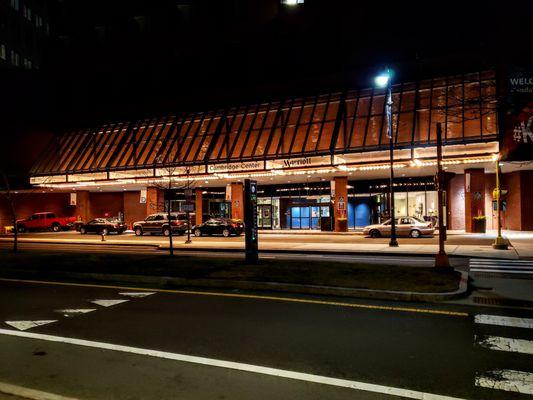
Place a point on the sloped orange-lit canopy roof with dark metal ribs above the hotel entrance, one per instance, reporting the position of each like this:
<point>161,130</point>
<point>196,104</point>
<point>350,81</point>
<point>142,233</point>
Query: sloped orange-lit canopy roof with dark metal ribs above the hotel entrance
<point>294,127</point>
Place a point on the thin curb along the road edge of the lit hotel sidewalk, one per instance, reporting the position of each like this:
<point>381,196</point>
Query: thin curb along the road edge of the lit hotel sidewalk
<point>272,251</point>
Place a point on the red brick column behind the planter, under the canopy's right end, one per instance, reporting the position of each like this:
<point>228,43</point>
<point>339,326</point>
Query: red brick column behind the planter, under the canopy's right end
<point>474,196</point>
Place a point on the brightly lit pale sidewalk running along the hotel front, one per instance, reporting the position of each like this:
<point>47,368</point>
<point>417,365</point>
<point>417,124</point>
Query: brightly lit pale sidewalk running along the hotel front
<point>480,251</point>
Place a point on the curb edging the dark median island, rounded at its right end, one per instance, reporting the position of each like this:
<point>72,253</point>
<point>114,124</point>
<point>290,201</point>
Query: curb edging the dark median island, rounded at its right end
<point>169,282</point>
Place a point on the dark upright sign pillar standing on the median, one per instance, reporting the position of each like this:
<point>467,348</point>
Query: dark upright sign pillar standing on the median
<point>250,221</point>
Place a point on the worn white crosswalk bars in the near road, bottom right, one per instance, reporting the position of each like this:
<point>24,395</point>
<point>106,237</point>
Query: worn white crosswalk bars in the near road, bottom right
<point>510,380</point>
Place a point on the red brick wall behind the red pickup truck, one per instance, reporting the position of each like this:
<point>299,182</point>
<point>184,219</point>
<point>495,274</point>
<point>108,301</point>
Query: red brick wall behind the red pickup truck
<point>29,203</point>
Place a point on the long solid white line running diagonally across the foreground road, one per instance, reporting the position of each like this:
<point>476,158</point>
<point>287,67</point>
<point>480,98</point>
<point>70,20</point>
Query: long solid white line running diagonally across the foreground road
<point>300,376</point>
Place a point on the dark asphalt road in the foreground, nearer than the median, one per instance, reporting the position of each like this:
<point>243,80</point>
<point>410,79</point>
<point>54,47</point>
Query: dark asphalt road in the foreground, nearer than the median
<point>432,349</point>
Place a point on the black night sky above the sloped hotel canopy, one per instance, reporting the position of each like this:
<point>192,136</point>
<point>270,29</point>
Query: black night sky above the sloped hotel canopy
<point>120,59</point>
